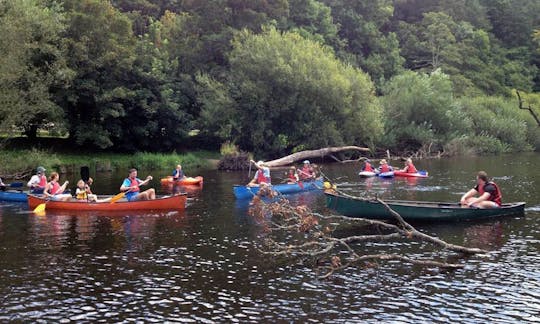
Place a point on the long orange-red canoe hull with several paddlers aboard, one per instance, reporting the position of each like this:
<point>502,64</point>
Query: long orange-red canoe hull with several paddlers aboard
<point>177,202</point>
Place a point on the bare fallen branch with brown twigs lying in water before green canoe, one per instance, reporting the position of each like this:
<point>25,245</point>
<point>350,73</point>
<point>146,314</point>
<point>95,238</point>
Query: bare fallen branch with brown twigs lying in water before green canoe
<point>296,232</point>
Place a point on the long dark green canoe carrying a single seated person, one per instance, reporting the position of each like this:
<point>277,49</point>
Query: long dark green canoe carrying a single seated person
<point>416,210</point>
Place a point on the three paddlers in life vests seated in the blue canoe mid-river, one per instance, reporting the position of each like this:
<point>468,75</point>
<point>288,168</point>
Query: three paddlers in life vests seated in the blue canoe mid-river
<point>307,172</point>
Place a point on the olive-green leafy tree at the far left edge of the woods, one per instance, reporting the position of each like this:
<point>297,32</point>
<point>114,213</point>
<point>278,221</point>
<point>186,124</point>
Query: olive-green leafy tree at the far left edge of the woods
<point>32,64</point>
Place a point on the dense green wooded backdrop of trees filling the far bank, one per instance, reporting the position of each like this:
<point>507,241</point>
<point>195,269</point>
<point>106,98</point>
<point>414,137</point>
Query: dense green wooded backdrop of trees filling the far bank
<point>273,76</point>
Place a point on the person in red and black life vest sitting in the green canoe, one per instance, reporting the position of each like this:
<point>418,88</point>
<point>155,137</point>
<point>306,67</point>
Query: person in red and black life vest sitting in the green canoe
<point>489,193</point>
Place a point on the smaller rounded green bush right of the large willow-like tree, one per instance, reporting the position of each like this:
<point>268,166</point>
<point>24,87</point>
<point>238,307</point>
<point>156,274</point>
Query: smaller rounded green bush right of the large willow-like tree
<point>421,110</point>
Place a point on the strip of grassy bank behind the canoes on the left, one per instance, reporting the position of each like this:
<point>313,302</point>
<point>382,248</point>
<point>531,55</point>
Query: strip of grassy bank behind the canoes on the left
<point>22,162</point>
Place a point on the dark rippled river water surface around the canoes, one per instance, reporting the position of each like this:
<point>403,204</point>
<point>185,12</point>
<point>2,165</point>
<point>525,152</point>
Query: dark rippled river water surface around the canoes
<point>199,265</point>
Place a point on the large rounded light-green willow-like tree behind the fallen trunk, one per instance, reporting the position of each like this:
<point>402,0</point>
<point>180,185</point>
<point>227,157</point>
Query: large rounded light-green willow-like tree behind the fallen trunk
<point>288,93</point>
